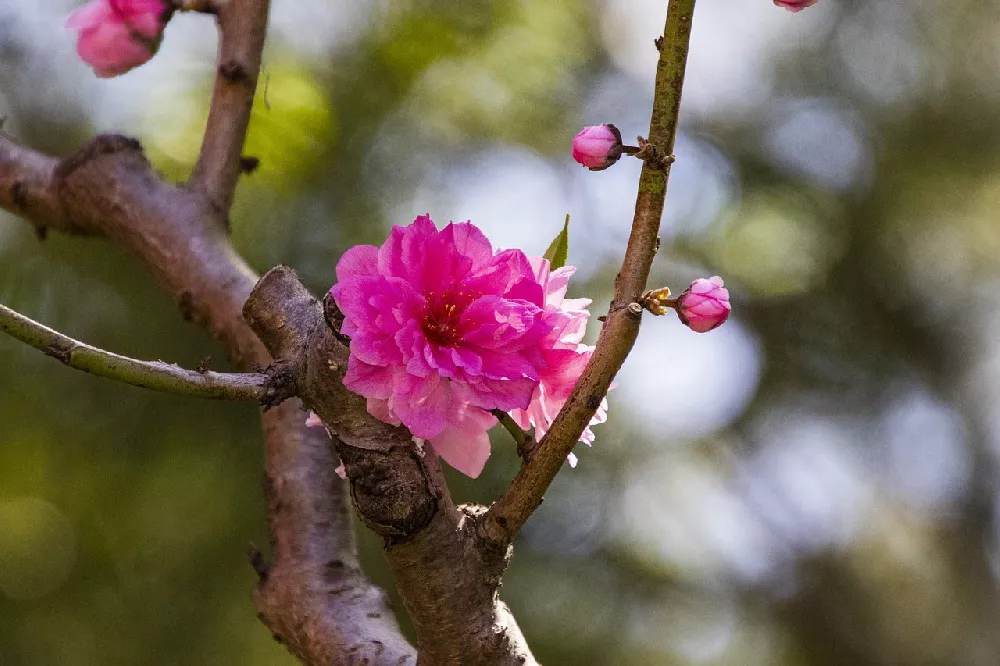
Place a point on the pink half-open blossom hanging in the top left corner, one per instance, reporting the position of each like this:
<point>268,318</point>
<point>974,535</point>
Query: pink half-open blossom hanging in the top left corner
<point>115,36</point>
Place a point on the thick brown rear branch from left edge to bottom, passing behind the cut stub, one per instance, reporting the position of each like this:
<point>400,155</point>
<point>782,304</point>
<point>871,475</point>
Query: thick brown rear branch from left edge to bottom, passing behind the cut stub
<point>323,613</point>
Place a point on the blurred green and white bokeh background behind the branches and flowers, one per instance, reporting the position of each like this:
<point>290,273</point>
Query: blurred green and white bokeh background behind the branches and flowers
<point>812,484</point>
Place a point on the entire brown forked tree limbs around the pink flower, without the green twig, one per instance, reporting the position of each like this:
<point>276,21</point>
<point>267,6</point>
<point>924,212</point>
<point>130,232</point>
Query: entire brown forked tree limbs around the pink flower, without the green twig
<point>447,560</point>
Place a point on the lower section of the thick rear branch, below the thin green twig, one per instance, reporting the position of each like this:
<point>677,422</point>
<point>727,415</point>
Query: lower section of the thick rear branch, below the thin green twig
<point>314,596</point>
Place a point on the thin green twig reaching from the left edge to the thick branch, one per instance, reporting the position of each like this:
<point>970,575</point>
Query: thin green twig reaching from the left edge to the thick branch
<point>153,375</point>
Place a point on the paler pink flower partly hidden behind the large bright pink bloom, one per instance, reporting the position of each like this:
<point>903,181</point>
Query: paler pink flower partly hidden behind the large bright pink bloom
<point>565,355</point>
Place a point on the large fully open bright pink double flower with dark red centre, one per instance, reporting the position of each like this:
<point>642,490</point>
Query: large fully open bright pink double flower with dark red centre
<point>442,330</point>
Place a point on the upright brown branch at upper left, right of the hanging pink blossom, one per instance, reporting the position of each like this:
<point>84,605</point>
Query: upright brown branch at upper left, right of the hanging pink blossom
<point>242,29</point>
